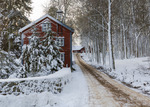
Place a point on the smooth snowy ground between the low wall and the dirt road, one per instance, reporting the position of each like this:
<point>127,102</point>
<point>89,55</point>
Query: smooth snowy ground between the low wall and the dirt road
<point>75,94</point>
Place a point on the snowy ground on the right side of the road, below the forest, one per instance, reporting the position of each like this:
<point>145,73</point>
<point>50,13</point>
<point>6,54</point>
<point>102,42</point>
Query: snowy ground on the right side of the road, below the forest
<point>134,72</point>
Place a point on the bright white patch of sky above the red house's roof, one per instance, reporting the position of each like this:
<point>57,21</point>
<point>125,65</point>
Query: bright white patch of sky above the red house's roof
<point>38,9</point>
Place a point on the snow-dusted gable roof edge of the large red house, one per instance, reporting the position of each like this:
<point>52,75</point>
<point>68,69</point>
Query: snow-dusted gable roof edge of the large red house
<point>36,21</point>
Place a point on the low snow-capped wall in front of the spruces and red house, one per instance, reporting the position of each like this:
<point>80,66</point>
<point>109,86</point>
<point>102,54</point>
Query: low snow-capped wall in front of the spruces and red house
<point>52,83</point>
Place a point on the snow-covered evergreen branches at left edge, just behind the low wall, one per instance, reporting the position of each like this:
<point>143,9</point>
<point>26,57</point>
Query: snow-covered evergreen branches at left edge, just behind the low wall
<point>10,66</point>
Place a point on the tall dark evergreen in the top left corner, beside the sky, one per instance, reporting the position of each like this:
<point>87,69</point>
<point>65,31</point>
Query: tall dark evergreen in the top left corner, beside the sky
<point>12,16</point>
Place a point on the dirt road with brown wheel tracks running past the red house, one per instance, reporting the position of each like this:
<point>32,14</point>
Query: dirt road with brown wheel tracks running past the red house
<point>106,92</point>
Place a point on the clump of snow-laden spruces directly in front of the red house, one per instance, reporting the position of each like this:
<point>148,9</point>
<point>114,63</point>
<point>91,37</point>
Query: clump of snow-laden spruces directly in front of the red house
<point>41,55</point>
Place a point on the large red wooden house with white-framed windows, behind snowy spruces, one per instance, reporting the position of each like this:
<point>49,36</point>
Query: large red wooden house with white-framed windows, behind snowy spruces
<point>63,35</point>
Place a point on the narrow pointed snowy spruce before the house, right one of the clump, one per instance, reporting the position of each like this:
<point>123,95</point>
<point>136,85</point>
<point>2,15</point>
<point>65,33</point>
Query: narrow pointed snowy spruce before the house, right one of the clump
<point>51,52</point>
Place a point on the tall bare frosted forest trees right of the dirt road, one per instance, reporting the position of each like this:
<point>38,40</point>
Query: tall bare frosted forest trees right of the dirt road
<point>119,27</point>
